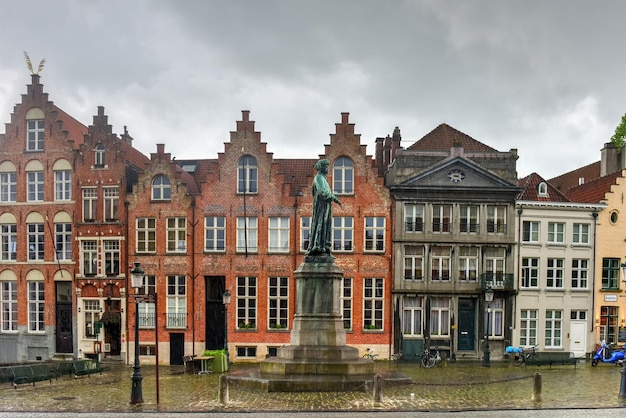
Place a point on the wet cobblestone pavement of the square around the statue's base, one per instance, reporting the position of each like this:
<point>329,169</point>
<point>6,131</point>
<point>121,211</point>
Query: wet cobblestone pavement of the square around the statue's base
<point>460,386</point>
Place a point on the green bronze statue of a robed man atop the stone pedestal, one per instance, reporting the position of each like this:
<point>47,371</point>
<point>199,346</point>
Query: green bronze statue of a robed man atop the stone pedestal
<point>320,239</point>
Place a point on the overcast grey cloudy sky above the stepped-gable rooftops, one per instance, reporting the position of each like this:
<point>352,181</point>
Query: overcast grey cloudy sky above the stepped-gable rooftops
<point>545,77</point>
